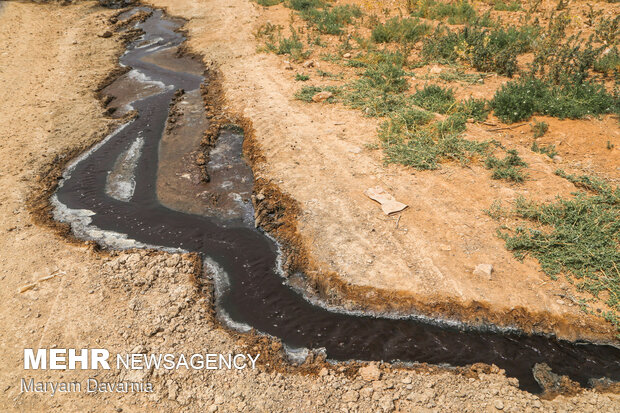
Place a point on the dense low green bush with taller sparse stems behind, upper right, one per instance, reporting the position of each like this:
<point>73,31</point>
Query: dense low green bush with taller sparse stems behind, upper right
<point>559,82</point>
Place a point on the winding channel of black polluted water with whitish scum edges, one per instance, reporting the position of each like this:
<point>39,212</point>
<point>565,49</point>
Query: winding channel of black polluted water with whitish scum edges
<point>110,194</point>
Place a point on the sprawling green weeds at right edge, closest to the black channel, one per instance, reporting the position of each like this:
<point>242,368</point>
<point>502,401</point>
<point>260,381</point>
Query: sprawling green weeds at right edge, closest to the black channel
<point>578,237</point>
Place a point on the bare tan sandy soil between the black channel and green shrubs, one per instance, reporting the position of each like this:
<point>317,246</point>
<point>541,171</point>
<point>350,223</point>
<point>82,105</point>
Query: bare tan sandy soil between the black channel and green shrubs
<point>317,154</point>
